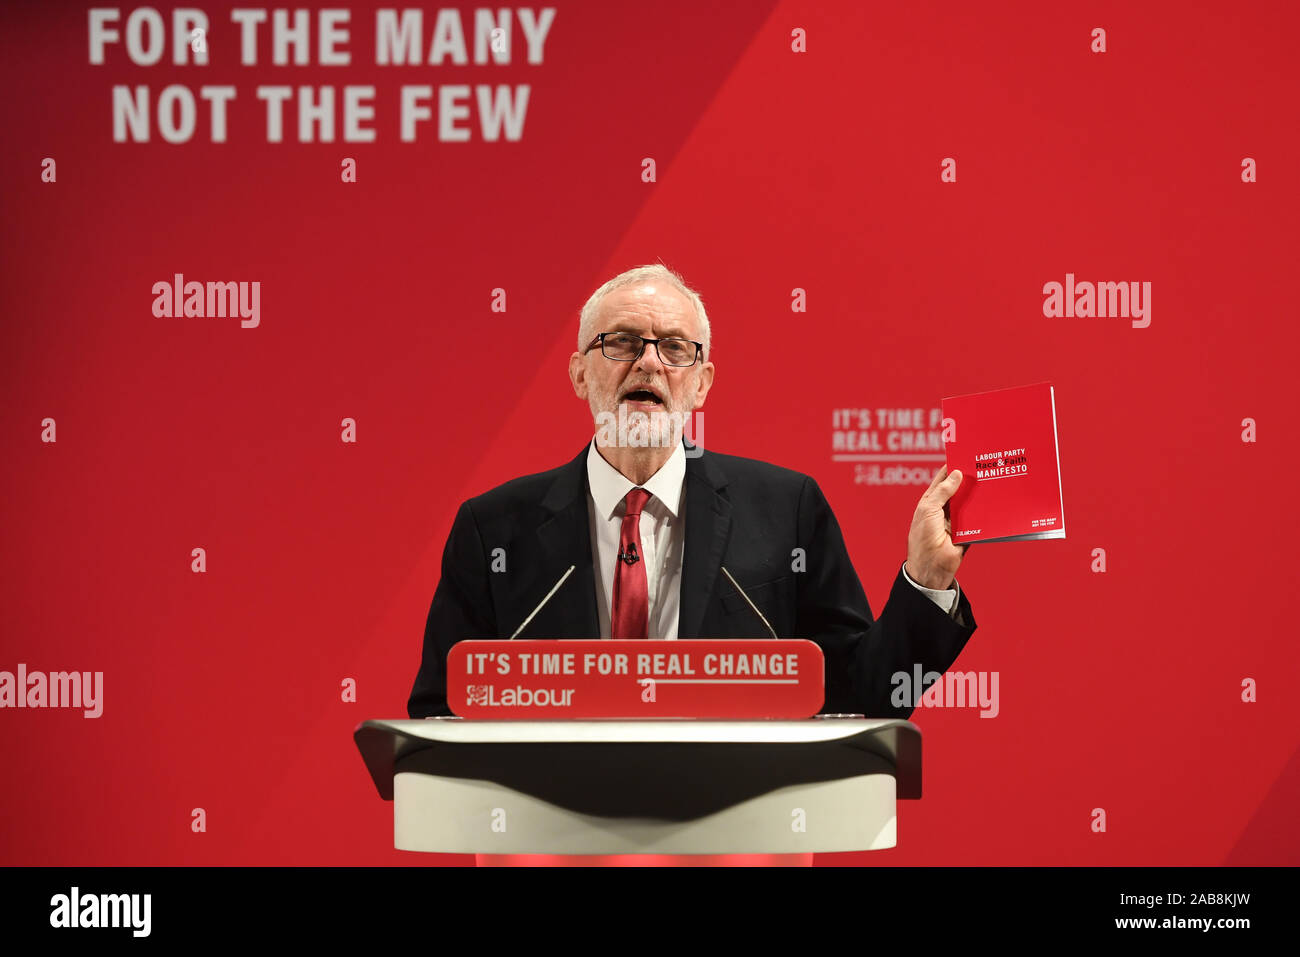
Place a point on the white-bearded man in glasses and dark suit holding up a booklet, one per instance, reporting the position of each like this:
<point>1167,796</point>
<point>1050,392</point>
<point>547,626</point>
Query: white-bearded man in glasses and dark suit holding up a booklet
<point>649,529</point>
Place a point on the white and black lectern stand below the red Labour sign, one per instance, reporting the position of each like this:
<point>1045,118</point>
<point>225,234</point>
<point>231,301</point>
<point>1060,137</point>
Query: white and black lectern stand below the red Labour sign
<point>643,787</point>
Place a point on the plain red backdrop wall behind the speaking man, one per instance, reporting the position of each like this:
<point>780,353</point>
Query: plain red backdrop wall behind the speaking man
<point>775,171</point>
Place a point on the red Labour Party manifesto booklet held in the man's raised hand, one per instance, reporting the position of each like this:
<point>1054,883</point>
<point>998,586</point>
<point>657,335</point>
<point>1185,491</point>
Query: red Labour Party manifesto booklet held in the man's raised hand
<point>1006,445</point>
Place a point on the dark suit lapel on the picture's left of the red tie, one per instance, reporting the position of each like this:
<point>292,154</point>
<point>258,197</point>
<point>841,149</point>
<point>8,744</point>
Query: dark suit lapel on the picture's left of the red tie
<point>566,540</point>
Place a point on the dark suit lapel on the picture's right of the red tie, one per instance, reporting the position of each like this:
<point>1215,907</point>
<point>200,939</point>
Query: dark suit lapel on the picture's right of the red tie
<point>708,529</point>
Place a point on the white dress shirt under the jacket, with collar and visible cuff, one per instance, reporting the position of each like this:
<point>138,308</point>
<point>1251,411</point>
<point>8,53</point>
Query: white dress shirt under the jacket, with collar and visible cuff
<point>664,538</point>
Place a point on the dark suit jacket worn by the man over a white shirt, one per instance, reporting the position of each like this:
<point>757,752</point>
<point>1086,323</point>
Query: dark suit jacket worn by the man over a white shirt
<point>740,513</point>
